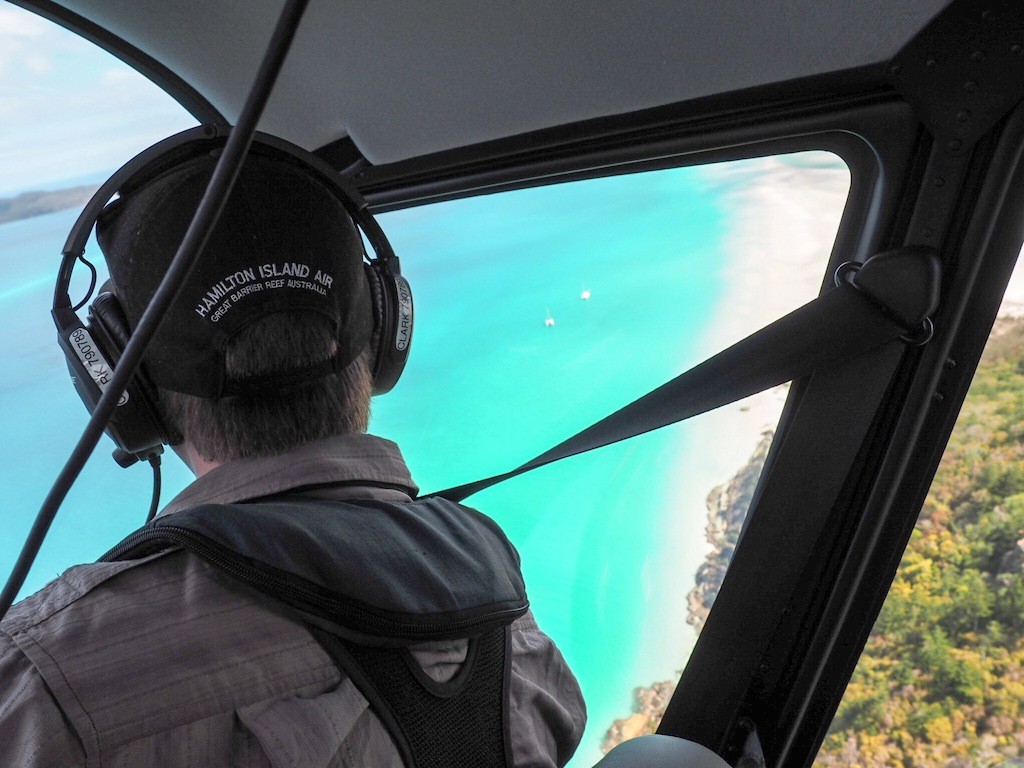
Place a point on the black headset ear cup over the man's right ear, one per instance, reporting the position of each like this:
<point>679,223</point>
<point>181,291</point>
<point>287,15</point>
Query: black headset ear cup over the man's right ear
<point>393,302</point>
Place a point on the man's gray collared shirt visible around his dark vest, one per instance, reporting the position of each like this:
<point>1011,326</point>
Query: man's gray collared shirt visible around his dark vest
<point>167,662</point>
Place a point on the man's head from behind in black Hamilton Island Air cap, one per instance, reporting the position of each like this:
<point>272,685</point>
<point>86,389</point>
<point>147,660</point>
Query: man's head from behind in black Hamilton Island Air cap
<point>268,347</point>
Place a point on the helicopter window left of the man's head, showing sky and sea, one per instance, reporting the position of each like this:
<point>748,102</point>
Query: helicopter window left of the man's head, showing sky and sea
<point>72,114</point>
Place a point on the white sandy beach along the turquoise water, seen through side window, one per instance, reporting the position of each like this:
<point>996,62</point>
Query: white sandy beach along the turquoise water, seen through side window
<point>782,222</point>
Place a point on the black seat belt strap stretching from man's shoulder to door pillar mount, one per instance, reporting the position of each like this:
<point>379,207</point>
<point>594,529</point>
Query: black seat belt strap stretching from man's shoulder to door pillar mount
<point>874,304</point>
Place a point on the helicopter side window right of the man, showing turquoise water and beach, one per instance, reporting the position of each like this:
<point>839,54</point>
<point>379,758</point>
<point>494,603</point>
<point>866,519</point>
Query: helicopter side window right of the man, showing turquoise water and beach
<point>541,311</point>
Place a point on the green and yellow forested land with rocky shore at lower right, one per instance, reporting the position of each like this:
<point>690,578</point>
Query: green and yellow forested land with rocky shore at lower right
<point>942,680</point>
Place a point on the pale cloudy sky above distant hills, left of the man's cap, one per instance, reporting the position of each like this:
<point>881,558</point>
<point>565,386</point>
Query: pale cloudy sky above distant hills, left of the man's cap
<point>71,113</point>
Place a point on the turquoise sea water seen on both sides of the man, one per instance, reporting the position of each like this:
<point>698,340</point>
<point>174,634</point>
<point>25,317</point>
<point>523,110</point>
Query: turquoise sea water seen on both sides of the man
<point>489,387</point>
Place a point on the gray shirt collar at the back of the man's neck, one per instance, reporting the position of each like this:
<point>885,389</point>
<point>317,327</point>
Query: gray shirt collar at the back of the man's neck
<point>359,460</point>
